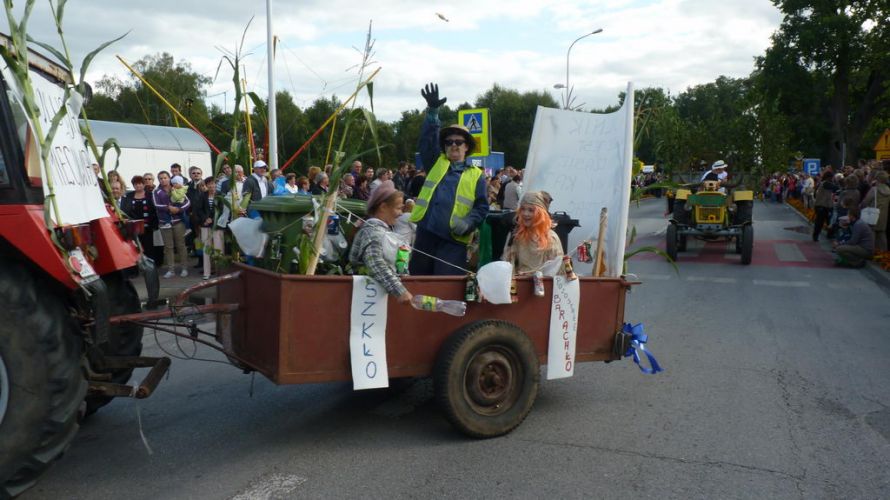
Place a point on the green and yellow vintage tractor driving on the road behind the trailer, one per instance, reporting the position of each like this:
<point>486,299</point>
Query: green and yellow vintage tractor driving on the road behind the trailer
<point>712,214</point>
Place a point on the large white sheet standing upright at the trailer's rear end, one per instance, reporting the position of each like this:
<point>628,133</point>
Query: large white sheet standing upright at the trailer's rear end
<point>584,161</point>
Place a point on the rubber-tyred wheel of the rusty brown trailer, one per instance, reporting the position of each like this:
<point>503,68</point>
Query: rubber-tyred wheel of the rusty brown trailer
<point>486,378</point>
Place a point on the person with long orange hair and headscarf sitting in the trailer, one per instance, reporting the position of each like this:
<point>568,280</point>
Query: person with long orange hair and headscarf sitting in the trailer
<point>533,242</point>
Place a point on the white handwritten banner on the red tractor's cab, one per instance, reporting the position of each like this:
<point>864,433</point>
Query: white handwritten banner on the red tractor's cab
<point>74,183</point>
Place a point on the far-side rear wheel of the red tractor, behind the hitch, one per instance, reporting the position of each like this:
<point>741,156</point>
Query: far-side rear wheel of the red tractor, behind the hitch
<point>124,300</point>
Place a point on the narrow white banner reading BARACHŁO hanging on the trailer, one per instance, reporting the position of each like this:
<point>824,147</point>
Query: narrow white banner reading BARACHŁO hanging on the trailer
<point>563,328</point>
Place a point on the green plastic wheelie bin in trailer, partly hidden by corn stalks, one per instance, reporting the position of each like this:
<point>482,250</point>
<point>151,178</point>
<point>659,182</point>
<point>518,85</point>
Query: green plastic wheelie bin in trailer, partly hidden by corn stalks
<point>282,221</point>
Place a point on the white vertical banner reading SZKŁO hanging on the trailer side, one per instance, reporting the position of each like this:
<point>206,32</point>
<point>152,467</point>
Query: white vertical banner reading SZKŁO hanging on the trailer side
<point>367,334</point>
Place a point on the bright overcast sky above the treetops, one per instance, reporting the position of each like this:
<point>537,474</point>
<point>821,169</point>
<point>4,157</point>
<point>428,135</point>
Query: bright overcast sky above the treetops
<point>520,44</point>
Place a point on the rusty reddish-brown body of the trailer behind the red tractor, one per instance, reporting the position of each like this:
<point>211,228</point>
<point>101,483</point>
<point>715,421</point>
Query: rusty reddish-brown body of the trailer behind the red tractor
<point>295,328</point>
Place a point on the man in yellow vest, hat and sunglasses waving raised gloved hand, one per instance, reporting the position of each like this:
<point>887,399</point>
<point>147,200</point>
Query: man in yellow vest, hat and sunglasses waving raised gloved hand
<point>453,201</point>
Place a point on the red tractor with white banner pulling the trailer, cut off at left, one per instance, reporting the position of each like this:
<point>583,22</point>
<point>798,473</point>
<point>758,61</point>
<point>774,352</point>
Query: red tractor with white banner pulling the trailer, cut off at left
<point>66,264</point>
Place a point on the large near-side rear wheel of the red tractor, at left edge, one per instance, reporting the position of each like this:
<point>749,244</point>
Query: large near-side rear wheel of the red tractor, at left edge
<point>42,385</point>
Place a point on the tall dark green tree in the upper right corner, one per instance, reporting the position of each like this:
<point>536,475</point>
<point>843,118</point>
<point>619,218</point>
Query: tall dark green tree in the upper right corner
<point>829,63</point>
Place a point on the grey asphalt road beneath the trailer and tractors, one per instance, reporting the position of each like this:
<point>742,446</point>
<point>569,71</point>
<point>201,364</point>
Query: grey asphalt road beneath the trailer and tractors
<point>775,387</point>
